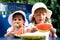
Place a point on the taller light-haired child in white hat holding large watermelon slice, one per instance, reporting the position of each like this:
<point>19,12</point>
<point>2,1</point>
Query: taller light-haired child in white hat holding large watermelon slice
<point>40,14</point>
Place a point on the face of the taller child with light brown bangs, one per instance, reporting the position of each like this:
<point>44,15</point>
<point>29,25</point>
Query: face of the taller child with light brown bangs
<point>39,16</point>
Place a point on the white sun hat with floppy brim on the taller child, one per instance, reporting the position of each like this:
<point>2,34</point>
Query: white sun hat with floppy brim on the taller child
<point>40,5</point>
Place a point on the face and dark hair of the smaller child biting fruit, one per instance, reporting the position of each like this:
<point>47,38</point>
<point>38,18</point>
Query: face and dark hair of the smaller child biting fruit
<point>18,19</point>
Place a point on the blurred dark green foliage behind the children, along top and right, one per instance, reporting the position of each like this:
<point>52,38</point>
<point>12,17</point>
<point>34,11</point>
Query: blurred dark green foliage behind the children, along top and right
<point>53,5</point>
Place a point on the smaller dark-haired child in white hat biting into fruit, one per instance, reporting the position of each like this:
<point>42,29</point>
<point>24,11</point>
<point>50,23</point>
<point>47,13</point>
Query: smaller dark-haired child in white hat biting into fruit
<point>18,22</point>
